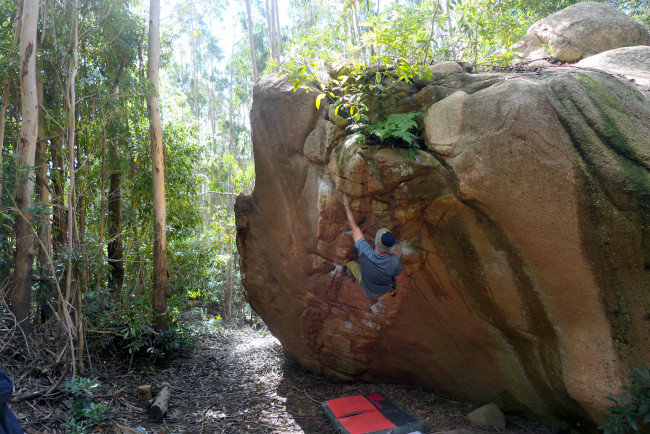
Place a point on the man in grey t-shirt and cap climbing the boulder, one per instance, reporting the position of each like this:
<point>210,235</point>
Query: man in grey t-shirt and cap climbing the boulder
<point>379,269</point>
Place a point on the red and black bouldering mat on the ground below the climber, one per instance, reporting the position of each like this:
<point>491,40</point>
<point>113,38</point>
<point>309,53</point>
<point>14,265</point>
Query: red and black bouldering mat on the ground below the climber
<point>373,413</point>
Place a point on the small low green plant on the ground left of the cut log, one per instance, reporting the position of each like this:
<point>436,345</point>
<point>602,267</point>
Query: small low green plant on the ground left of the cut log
<point>84,413</point>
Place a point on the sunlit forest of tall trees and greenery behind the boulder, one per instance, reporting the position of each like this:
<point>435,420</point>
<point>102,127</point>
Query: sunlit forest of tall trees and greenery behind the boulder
<point>77,250</point>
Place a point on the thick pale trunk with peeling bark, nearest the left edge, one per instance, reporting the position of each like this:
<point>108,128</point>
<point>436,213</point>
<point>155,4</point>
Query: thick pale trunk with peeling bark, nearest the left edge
<point>22,282</point>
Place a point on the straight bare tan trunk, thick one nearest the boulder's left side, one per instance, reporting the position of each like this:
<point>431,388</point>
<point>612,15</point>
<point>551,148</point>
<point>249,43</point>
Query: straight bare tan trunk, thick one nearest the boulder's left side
<point>158,167</point>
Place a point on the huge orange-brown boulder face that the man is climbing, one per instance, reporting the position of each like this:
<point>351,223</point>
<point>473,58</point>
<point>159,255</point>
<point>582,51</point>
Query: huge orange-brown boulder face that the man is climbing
<point>525,228</point>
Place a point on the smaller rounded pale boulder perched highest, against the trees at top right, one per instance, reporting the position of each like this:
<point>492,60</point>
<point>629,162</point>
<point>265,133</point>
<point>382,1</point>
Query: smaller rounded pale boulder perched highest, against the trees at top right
<point>579,31</point>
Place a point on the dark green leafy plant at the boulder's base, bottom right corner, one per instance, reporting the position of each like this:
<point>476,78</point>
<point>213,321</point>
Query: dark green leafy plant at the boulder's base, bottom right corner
<point>631,412</point>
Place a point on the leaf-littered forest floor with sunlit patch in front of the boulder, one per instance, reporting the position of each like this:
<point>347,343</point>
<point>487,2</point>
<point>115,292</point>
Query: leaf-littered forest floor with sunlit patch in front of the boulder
<point>238,379</point>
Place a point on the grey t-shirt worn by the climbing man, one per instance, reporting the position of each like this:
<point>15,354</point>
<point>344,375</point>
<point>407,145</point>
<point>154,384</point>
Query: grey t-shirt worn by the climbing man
<point>377,271</point>
